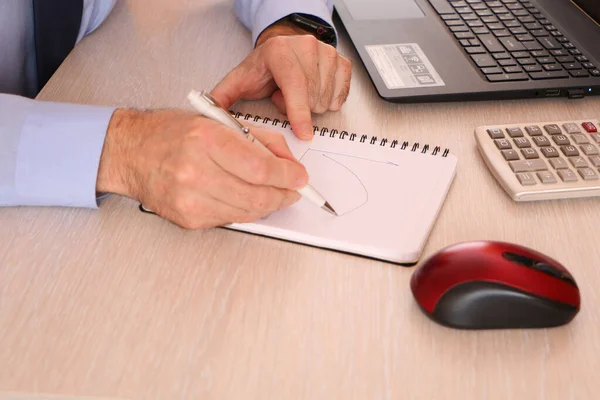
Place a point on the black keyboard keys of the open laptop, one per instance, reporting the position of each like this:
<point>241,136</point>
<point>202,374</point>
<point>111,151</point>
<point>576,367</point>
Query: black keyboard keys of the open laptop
<point>512,40</point>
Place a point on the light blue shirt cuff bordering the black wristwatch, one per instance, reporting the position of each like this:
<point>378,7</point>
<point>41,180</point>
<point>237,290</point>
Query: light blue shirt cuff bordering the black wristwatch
<point>272,11</point>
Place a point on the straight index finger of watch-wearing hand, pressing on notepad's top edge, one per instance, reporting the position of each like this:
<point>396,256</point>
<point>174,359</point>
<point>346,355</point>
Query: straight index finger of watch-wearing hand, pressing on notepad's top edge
<point>289,77</point>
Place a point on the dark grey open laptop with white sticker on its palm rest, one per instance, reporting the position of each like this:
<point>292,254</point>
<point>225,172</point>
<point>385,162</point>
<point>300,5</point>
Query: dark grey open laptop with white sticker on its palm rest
<point>456,50</point>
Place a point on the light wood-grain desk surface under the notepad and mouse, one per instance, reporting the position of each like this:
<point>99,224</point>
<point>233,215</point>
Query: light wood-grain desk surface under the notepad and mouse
<point>117,303</point>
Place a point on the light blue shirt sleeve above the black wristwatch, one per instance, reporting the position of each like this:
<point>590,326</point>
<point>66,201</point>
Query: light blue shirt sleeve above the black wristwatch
<point>257,15</point>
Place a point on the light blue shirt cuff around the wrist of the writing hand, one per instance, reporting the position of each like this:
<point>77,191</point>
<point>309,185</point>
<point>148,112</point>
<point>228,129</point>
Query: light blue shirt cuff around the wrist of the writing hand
<point>59,154</point>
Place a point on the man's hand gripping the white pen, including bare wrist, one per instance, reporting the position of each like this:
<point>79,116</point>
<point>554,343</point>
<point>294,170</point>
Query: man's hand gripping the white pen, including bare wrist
<point>196,172</point>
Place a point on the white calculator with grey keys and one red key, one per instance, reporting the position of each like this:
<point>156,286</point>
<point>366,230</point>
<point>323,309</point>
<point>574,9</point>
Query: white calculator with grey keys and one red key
<point>543,160</point>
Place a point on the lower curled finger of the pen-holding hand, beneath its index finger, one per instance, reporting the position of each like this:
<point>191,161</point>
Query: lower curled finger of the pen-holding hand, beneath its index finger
<point>254,199</point>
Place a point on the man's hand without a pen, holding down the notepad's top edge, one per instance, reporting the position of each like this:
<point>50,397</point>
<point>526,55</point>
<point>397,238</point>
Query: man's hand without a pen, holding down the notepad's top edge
<point>300,73</point>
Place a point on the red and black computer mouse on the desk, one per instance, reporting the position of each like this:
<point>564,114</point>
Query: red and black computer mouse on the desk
<point>495,285</point>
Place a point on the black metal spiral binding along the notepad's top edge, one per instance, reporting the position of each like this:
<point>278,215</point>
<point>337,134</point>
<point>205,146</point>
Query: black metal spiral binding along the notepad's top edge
<point>373,140</point>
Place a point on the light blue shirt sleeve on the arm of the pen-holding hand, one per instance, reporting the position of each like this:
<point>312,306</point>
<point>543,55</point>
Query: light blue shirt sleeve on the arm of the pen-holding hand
<point>50,152</point>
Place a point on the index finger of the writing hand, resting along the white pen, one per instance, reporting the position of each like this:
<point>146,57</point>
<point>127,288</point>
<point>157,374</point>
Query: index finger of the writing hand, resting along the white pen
<point>253,163</point>
